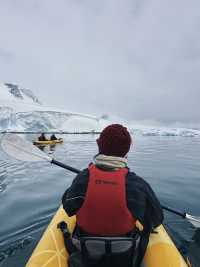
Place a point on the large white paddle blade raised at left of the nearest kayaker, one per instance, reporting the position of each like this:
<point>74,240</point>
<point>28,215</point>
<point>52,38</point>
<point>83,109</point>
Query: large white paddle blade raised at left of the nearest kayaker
<point>21,149</point>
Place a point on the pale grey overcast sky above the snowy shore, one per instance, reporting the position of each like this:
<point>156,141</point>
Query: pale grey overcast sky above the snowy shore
<point>138,59</point>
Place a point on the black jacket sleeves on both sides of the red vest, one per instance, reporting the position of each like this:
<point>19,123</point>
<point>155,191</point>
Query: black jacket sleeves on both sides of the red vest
<point>141,200</point>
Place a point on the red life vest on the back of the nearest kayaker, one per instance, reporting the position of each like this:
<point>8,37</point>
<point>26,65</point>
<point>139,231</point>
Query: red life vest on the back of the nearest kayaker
<point>104,211</point>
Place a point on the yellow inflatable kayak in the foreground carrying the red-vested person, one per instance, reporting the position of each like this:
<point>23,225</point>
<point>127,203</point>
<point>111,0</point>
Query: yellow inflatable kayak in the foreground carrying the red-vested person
<point>51,252</point>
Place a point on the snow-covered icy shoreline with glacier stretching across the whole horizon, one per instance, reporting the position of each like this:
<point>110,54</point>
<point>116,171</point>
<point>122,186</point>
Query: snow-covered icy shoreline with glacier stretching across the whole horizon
<point>22,111</point>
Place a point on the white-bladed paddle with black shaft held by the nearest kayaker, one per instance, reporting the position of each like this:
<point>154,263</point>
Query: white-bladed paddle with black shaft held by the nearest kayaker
<point>21,149</point>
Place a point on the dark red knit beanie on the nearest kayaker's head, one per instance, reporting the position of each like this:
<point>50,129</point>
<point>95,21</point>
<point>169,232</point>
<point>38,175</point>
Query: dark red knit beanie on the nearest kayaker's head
<point>114,140</point>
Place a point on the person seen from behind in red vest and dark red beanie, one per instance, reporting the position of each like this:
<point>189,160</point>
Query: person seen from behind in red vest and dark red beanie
<point>108,199</point>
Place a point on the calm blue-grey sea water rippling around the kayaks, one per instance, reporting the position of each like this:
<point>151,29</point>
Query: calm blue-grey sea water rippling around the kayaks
<point>30,193</point>
